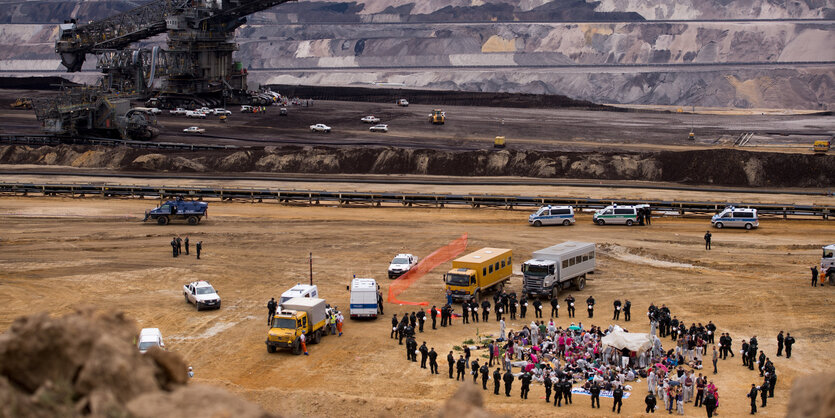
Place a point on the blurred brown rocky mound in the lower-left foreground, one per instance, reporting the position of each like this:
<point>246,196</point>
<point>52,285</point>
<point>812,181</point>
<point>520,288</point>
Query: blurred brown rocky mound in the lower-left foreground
<point>84,364</point>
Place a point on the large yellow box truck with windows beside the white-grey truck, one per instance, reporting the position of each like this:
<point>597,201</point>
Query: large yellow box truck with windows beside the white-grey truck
<point>478,272</point>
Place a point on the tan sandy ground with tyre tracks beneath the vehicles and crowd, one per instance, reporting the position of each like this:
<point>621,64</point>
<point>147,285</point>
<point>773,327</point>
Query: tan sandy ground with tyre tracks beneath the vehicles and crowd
<point>58,254</point>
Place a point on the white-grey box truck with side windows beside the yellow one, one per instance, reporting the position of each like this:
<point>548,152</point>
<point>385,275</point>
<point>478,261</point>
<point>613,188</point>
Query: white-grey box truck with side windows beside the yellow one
<point>558,267</point>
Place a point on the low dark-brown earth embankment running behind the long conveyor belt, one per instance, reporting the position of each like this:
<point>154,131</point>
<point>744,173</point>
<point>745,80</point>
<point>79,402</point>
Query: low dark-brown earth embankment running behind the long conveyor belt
<point>708,167</point>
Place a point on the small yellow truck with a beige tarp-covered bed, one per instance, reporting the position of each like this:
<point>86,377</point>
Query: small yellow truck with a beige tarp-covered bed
<point>296,316</point>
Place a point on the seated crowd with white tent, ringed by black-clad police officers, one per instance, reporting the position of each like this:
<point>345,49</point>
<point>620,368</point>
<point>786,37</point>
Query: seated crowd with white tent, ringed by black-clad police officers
<point>573,358</point>
